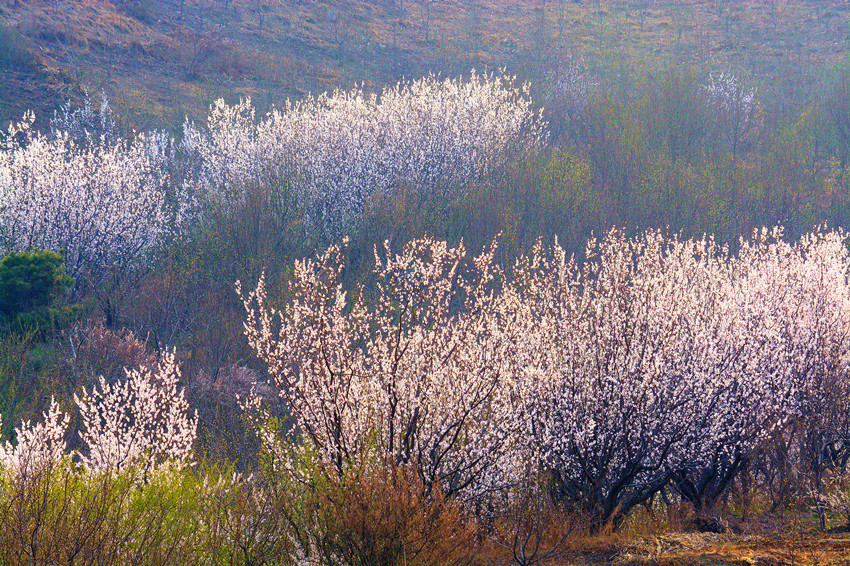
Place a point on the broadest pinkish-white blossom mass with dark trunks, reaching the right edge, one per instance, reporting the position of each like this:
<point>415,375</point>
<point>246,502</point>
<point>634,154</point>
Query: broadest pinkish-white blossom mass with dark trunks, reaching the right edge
<point>661,359</point>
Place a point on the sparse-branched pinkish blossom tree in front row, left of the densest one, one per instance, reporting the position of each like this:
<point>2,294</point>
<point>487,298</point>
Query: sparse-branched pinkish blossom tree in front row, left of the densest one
<point>417,374</point>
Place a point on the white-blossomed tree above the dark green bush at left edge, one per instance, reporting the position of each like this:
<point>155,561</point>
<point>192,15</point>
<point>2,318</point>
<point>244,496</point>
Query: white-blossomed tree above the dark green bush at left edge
<point>103,203</point>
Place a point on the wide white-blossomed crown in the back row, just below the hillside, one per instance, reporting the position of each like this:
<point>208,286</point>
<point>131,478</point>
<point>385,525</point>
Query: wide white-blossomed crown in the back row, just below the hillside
<point>342,149</point>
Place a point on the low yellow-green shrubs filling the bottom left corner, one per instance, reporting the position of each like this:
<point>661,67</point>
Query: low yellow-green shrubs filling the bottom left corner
<point>62,513</point>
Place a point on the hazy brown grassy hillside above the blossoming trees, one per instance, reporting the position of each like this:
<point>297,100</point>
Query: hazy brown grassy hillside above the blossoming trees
<point>159,61</point>
